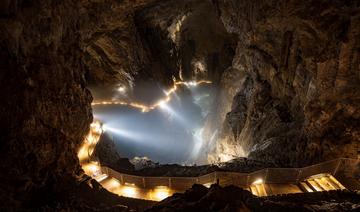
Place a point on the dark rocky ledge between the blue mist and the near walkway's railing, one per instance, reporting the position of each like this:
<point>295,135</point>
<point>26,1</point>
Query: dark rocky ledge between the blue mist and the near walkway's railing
<point>105,152</point>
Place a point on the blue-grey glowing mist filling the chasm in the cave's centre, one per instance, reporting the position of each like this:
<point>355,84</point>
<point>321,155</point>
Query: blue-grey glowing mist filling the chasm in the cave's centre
<point>171,133</point>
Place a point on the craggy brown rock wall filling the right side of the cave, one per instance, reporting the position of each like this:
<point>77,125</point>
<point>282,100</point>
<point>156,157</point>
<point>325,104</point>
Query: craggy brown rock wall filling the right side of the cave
<point>294,81</point>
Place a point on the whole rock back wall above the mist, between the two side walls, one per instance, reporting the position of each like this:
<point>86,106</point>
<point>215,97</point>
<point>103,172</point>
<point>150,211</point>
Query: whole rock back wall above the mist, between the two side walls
<point>153,40</point>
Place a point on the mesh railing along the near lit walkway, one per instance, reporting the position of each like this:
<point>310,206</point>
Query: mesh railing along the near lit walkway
<point>346,170</point>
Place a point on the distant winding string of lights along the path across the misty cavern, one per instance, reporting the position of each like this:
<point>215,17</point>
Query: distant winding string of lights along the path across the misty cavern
<point>146,108</point>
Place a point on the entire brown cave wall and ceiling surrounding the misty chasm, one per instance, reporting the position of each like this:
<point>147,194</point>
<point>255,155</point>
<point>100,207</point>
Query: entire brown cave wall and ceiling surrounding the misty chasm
<point>288,73</point>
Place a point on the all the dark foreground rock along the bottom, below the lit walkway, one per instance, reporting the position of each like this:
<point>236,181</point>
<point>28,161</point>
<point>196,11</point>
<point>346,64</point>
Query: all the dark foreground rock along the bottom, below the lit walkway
<point>199,198</point>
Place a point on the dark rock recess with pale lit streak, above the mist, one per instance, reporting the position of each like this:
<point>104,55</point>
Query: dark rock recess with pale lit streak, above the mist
<point>187,42</point>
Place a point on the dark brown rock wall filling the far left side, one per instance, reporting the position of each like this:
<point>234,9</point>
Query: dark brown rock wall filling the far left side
<point>45,110</point>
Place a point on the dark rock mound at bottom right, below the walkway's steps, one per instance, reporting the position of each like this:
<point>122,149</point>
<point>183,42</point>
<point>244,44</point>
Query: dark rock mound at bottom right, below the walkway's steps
<point>216,198</point>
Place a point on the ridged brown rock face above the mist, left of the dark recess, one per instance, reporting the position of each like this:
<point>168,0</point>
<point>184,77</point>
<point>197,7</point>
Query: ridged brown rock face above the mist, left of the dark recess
<point>114,53</point>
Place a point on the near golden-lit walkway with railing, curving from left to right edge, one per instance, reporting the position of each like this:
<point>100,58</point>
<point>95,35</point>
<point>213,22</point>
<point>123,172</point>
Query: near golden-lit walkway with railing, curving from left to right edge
<point>265,182</point>
